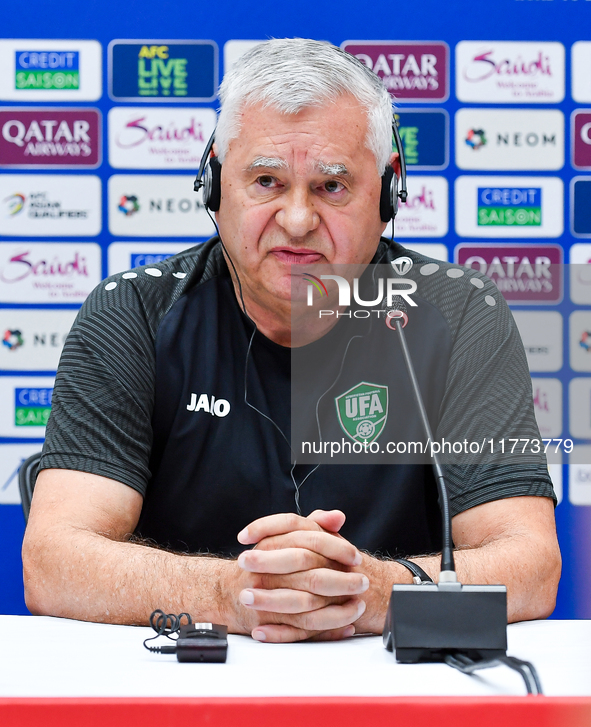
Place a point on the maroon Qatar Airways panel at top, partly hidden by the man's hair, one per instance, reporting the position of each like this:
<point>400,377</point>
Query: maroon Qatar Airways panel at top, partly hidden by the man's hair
<point>411,71</point>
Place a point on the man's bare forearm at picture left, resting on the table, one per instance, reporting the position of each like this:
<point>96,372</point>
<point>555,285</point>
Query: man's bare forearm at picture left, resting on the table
<point>86,576</point>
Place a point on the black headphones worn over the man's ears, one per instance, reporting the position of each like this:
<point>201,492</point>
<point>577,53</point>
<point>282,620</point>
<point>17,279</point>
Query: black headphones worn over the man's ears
<point>210,173</point>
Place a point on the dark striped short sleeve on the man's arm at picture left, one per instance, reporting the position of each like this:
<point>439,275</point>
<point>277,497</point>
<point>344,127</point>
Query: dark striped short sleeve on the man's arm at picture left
<point>104,391</point>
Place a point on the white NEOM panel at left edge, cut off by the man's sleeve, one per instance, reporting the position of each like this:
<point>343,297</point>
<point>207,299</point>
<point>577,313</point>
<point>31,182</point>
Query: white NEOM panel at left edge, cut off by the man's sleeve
<point>32,340</point>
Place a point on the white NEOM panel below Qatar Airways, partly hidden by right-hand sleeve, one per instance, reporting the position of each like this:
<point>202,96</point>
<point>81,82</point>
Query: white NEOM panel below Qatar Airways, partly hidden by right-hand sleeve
<point>541,333</point>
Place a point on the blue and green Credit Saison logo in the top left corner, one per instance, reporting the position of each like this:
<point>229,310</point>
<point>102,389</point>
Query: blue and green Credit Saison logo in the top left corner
<point>47,70</point>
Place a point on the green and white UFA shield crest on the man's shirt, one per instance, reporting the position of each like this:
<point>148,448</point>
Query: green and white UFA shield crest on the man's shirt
<point>363,411</point>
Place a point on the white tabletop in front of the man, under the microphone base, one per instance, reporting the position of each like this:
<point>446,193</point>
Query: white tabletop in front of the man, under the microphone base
<point>51,657</point>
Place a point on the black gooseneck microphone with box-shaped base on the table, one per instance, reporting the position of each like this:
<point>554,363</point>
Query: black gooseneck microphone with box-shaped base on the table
<point>433,622</point>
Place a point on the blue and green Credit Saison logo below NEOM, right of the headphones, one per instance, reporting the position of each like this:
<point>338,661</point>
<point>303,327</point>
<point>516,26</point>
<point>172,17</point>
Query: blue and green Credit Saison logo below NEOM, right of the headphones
<point>510,206</point>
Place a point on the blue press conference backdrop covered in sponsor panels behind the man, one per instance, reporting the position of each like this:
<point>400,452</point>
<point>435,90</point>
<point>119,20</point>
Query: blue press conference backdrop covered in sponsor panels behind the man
<point>104,114</point>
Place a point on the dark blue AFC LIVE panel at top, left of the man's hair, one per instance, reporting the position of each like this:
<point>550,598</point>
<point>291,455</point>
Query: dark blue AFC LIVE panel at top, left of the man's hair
<point>163,70</point>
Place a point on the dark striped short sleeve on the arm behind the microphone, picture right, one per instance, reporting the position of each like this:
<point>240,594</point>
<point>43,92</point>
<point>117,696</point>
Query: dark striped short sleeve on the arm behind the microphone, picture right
<point>488,405</point>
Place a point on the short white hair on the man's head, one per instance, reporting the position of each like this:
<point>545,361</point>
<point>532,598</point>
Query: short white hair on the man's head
<point>291,74</point>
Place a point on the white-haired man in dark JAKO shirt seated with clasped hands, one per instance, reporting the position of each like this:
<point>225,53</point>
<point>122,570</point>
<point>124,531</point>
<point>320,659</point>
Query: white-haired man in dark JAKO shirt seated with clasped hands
<point>167,450</point>
